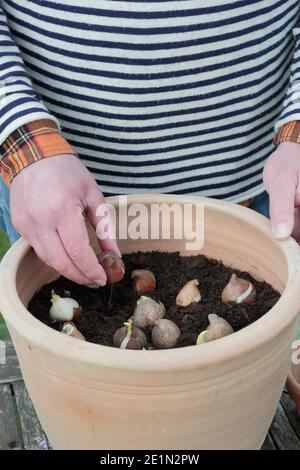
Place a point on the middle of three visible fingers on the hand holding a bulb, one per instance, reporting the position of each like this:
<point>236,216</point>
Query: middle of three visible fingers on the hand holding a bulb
<point>73,234</point>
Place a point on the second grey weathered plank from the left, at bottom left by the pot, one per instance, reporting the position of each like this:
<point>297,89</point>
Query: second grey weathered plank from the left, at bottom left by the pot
<point>33,435</point>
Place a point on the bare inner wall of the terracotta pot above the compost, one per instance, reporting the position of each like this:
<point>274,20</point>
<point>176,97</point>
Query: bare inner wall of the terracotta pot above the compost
<point>231,234</point>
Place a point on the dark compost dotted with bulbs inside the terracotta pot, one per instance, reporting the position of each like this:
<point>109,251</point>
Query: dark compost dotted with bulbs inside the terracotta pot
<point>164,300</point>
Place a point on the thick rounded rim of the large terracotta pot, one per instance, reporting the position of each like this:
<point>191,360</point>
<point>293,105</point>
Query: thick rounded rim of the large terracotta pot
<point>258,333</point>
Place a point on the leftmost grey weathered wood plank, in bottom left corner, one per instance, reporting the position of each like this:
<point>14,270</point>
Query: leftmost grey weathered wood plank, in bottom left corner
<point>9,436</point>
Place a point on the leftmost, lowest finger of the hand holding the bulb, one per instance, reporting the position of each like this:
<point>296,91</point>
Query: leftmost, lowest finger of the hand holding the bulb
<point>49,248</point>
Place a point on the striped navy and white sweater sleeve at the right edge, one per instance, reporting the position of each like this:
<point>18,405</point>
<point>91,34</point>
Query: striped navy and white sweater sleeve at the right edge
<point>291,106</point>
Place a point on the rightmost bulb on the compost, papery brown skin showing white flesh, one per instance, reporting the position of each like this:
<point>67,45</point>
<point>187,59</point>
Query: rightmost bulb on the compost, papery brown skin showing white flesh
<point>238,291</point>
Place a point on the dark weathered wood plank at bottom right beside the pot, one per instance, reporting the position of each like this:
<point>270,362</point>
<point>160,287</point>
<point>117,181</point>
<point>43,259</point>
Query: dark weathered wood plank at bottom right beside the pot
<point>282,431</point>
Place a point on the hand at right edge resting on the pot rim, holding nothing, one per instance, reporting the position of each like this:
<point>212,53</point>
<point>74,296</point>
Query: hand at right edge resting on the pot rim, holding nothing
<point>282,182</point>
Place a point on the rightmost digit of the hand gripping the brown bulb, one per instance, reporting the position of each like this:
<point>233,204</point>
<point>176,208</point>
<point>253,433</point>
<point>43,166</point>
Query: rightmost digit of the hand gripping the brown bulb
<point>100,218</point>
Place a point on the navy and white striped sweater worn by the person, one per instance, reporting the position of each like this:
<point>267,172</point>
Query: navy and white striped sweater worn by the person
<point>155,96</point>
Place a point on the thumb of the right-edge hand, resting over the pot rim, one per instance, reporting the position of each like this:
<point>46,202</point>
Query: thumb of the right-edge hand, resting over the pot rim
<point>282,207</point>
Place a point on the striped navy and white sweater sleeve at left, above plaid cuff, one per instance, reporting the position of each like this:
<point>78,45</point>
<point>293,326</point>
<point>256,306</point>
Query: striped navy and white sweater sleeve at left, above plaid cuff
<point>19,102</point>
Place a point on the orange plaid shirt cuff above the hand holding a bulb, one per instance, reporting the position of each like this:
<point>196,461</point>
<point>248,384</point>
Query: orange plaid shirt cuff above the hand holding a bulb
<point>28,144</point>
